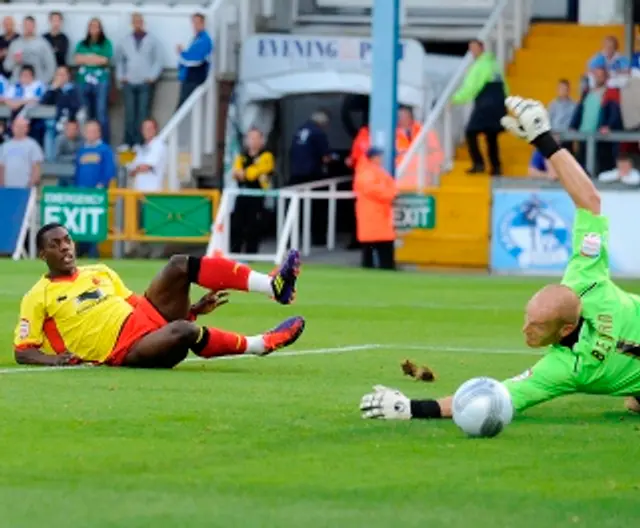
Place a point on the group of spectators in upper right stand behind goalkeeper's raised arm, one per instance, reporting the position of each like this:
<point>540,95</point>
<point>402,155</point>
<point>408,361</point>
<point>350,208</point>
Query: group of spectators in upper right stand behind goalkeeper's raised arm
<point>609,102</point>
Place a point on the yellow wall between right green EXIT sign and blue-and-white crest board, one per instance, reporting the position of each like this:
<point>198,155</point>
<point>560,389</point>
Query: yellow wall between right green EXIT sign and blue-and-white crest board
<point>460,236</point>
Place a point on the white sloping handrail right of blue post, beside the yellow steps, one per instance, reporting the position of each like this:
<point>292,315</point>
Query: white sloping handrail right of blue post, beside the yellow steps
<point>441,108</point>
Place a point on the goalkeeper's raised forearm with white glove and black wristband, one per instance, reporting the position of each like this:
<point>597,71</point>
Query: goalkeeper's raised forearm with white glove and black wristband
<point>530,121</point>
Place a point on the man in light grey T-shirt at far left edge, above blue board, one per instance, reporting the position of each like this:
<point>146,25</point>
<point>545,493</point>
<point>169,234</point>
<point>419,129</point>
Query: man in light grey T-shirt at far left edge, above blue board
<point>21,158</point>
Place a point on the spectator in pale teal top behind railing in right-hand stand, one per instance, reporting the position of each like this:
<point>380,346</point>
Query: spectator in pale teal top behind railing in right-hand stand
<point>588,119</point>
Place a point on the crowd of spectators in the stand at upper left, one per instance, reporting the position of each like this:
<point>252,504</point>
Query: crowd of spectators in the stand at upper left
<point>79,80</point>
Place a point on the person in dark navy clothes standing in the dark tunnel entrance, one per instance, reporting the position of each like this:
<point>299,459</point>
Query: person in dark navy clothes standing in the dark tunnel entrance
<point>309,156</point>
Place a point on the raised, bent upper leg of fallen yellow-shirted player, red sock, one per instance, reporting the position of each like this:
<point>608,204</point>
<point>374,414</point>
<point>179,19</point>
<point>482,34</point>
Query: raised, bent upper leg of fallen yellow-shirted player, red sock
<point>169,290</point>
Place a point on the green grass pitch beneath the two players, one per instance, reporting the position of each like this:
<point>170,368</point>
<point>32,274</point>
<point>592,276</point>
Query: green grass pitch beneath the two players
<point>278,441</point>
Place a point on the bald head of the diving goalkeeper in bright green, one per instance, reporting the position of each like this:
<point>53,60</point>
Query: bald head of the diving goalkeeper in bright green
<point>551,314</point>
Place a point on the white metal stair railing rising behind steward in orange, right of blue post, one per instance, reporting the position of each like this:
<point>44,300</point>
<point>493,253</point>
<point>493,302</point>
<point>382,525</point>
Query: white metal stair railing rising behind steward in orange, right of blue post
<point>449,122</point>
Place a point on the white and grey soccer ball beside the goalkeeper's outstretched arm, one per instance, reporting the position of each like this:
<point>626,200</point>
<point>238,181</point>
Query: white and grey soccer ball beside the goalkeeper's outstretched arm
<point>482,407</point>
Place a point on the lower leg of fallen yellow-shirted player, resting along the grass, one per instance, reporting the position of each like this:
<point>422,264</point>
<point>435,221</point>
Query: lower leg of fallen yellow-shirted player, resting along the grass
<point>169,345</point>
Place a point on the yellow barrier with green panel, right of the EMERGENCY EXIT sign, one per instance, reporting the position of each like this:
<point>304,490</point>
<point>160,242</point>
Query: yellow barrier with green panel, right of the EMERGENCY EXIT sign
<point>132,201</point>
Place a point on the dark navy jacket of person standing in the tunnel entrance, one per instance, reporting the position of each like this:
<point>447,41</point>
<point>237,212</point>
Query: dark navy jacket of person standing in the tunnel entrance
<point>310,144</point>
